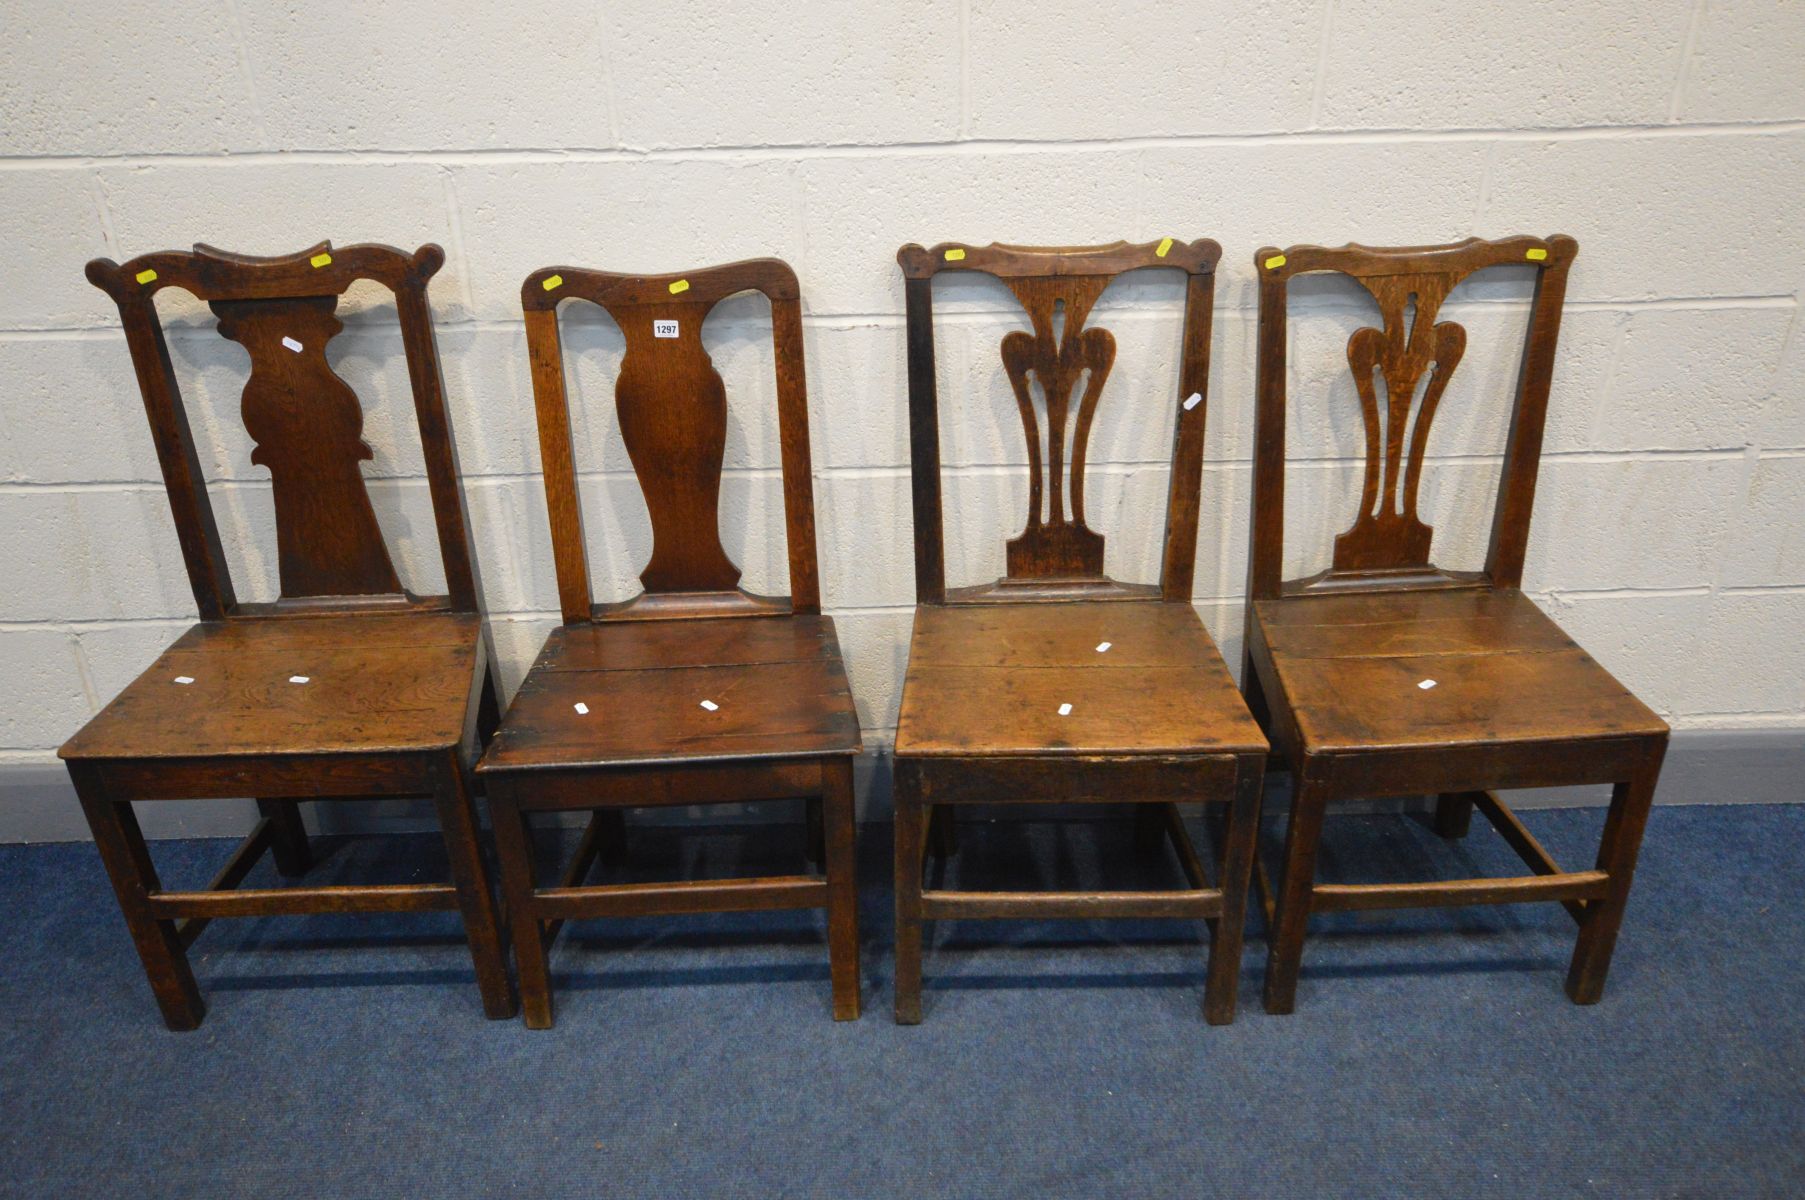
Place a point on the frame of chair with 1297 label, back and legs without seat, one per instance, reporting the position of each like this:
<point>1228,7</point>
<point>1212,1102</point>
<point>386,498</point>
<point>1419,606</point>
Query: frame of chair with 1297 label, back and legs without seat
<point>687,580</point>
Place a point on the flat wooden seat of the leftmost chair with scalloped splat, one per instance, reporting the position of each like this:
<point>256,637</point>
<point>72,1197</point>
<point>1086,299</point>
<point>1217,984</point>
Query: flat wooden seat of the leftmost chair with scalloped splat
<point>375,685</point>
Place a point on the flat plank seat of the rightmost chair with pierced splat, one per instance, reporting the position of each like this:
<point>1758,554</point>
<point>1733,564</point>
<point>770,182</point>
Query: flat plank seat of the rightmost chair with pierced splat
<point>1353,672</point>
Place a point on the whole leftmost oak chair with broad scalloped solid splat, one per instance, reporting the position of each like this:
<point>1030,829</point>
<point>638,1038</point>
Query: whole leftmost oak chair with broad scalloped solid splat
<point>347,687</point>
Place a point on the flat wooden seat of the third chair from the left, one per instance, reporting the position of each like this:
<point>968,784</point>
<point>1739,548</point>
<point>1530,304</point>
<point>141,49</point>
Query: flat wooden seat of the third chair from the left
<point>990,679</point>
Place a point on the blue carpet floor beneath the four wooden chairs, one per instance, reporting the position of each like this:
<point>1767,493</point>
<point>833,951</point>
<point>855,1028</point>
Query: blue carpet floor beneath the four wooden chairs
<point>1432,1053</point>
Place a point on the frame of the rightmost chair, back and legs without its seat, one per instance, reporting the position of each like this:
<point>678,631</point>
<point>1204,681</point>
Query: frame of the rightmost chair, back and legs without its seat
<point>1387,553</point>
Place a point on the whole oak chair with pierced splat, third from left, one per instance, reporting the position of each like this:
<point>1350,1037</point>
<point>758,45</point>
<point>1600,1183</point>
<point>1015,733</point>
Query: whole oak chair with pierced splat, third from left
<point>1059,683</point>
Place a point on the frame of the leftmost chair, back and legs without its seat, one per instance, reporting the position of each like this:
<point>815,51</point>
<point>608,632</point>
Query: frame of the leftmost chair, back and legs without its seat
<point>320,577</point>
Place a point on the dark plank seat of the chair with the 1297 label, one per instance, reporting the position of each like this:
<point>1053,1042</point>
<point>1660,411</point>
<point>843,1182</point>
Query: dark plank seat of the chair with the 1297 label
<point>779,688</point>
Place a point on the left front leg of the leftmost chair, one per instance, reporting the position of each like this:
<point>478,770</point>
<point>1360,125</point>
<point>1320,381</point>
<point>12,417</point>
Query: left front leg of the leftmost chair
<point>134,878</point>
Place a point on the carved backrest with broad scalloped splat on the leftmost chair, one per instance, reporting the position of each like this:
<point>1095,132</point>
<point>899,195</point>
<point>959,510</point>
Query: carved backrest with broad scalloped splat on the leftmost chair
<point>304,420</point>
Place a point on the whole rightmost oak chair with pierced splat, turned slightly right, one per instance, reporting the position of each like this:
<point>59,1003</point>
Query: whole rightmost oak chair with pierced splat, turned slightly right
<point>1387,676</point>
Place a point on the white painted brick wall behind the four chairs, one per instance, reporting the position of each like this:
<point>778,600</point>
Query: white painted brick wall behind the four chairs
<point>1671,140</point>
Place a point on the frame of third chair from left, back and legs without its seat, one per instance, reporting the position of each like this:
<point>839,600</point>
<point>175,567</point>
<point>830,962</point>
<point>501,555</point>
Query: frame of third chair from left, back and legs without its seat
<point>1059,560</point>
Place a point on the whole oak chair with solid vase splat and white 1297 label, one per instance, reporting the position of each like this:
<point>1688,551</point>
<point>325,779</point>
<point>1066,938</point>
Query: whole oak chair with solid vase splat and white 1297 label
<point>694,692</point>
